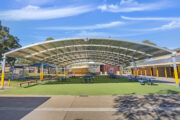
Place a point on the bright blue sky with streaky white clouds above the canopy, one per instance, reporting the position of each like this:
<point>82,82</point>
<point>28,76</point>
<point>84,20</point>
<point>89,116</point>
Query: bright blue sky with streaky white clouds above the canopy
<point>34,20</point>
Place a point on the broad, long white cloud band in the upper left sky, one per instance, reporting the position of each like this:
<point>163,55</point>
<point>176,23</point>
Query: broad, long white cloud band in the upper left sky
<point>31,12</point>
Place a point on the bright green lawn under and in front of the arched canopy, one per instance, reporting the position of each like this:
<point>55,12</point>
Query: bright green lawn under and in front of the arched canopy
<point>100,86</point>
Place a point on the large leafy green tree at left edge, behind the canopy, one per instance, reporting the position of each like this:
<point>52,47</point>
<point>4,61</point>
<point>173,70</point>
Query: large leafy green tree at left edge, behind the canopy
<point>7,43</point>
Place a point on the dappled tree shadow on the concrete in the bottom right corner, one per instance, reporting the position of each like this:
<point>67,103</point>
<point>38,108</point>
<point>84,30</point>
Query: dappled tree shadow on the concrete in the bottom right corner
<point>144,105</point>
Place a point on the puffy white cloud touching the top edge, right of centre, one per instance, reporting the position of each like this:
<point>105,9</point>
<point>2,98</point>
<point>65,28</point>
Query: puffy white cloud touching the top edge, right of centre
<point>133,5</point>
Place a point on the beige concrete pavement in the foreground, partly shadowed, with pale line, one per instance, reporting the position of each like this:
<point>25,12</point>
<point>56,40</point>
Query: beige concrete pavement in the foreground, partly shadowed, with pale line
<point>131,107</point>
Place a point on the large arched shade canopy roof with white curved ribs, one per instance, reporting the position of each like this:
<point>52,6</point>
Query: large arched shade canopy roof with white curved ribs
<point>64,52</point>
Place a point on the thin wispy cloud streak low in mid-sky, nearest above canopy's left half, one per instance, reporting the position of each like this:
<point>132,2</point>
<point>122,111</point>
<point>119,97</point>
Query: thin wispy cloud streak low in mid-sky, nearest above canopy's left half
<point>96,26</point>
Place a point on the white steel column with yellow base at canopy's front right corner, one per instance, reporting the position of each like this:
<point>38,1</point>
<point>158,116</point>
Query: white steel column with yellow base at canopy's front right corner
<point>175,69</point>
